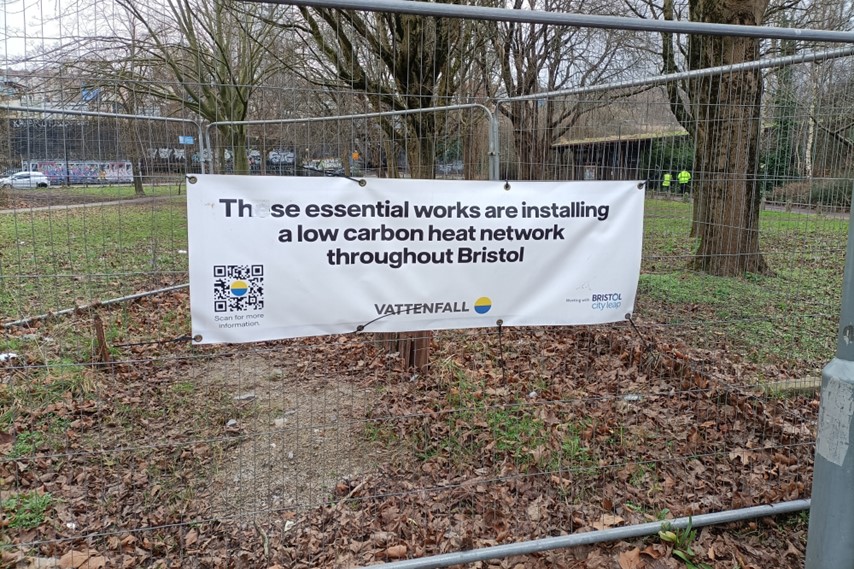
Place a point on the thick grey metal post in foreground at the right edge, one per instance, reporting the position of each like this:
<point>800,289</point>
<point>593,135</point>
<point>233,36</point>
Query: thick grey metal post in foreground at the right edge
<point>829,542</point>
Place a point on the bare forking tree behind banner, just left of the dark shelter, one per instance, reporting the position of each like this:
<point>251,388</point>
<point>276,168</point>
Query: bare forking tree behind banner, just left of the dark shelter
<point>535,58</point>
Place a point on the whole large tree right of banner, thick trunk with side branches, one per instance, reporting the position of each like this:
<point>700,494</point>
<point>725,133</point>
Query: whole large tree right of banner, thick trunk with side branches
<point>723,115</point>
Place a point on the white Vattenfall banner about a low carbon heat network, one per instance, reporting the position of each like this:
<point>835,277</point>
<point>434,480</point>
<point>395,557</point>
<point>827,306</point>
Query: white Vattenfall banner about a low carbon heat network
<point>283,257</point>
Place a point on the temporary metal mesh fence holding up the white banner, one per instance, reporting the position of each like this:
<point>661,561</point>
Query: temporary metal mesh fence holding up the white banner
<point>121,444</point>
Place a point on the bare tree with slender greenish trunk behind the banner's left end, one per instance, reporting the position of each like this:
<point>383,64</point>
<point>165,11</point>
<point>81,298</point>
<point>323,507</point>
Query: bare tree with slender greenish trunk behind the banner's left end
<point>205,57</point>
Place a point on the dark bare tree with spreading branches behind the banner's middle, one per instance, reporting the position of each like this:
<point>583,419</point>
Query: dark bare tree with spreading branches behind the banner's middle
<point>397,62</point>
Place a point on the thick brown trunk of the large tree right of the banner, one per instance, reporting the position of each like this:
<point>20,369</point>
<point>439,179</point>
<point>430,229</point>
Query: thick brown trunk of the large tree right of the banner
<point>727,196</point>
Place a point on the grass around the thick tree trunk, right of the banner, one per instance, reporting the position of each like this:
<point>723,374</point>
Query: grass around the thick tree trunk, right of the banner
<point>788,317</point>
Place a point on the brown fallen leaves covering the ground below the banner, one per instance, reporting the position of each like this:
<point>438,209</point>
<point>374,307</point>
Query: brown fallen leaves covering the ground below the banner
<point>537,433</point>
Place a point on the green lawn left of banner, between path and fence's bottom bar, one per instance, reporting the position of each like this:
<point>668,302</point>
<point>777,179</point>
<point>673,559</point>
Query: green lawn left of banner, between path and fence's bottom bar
<point>58,259</point>
